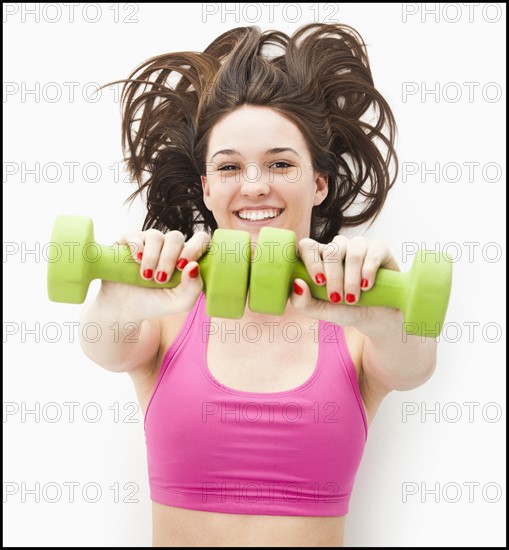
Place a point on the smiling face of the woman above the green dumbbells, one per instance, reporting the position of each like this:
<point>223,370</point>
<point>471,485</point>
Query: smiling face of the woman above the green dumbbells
<point>259,166</point>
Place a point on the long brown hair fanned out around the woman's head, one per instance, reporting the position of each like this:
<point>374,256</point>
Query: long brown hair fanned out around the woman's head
<point>319,78</point>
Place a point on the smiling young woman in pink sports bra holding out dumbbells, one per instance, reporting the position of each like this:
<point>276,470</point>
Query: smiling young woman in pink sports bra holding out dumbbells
<point>255,438</point>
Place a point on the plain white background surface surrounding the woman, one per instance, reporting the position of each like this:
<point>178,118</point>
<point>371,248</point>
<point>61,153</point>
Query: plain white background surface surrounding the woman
<point>460,447</point>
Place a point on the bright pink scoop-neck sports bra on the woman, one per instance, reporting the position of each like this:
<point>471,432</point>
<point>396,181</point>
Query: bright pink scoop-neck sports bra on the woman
<point>286,453</point>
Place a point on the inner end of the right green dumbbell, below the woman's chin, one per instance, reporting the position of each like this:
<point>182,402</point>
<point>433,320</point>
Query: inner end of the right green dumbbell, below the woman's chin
<point>272,266</point>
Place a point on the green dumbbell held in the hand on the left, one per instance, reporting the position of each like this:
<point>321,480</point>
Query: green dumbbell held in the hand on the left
<point>79,260</point>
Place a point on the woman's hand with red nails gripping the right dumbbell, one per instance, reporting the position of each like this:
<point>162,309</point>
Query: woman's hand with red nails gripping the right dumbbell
<point>346,267</point>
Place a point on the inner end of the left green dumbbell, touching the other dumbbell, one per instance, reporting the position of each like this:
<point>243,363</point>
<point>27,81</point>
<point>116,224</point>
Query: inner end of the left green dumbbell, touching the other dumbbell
<point>227,272</point>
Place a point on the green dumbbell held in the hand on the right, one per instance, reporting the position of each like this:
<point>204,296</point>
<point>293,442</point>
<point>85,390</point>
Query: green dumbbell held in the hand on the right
<point>422,293</point>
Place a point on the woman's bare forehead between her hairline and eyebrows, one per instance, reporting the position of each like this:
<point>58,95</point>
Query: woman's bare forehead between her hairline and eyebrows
<point>255,126</point>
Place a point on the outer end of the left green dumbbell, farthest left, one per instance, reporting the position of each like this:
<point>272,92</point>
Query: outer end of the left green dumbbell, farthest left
<point>68,273</point>
